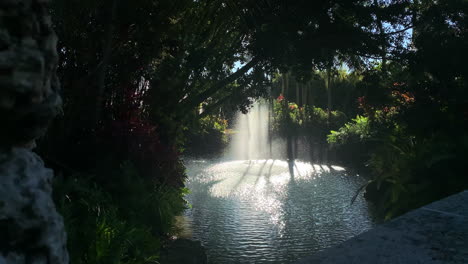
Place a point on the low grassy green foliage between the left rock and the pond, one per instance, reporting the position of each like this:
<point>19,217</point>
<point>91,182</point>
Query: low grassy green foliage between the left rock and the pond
<point>125,223</point>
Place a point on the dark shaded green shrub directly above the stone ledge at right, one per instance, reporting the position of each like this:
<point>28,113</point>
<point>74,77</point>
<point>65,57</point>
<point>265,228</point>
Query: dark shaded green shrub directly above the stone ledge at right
<point>410,172</point>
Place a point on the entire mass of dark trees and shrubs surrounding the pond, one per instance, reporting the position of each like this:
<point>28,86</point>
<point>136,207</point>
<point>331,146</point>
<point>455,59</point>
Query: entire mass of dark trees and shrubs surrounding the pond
<point>379,85</point>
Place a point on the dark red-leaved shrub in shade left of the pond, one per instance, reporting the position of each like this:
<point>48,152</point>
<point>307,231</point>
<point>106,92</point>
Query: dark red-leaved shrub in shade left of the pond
<point>132,137</point>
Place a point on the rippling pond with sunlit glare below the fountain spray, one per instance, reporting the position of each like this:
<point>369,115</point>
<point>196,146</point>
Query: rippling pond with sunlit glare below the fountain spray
<point>271,211</point>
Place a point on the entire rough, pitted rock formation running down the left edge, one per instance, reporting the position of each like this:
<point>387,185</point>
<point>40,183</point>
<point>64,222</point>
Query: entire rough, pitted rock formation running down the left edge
<point>31,230</point>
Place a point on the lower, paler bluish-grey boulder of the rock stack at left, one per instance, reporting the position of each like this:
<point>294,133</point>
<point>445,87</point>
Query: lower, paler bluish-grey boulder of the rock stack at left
<point>31,230</point>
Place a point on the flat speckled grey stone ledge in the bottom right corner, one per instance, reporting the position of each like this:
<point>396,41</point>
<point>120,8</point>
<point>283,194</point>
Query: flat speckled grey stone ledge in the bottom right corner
<point>436,233</point>
